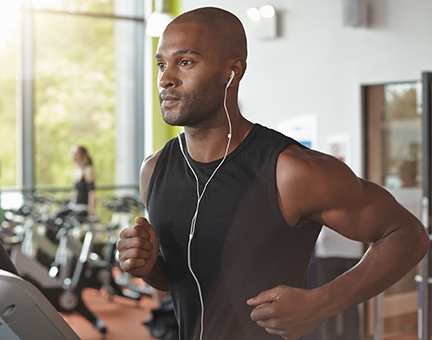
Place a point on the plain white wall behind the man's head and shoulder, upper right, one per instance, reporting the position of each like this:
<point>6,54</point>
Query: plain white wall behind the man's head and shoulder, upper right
<point>317,65</point>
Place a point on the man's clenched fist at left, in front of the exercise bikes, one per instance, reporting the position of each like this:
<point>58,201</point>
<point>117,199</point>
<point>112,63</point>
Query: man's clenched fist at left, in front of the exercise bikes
<point>138,248</point>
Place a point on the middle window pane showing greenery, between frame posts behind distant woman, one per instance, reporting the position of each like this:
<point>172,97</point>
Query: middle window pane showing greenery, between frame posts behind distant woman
<point>74,95</point>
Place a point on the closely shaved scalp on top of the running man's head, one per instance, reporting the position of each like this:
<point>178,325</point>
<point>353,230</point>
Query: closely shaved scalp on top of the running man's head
<point>225,30</point>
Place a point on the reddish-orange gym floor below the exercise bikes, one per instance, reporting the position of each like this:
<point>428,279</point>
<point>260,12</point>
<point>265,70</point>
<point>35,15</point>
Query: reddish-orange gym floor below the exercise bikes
<point>123,317</point>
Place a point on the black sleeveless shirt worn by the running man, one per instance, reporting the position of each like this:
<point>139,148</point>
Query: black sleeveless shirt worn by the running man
<point>242,244</point>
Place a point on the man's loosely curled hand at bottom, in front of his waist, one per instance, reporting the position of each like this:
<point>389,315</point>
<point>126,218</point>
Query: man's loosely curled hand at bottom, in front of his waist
<point>287,311</point>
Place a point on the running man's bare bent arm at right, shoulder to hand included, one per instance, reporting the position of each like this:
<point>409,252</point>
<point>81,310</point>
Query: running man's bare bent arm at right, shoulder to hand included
<point>318,187</point>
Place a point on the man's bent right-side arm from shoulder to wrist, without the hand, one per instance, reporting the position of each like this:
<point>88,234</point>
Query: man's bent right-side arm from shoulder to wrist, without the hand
<point>359,210</point>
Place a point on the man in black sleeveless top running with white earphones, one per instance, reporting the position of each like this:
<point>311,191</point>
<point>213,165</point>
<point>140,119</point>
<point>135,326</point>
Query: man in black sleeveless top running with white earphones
<point>235,208</point>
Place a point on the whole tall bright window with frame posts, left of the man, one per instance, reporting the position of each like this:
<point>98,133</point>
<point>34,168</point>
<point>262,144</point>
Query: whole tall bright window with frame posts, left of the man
<point>70,73</point>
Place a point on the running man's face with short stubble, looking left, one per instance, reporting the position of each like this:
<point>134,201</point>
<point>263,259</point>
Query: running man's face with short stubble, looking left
<point>190,82</point>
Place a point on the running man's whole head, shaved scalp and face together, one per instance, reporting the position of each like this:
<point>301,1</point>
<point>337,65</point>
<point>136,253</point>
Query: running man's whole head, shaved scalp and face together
<point>196,56</point>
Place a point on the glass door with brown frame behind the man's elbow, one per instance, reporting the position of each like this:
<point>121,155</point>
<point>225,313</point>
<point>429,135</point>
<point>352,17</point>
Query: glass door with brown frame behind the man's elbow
<point>395,156</point>
